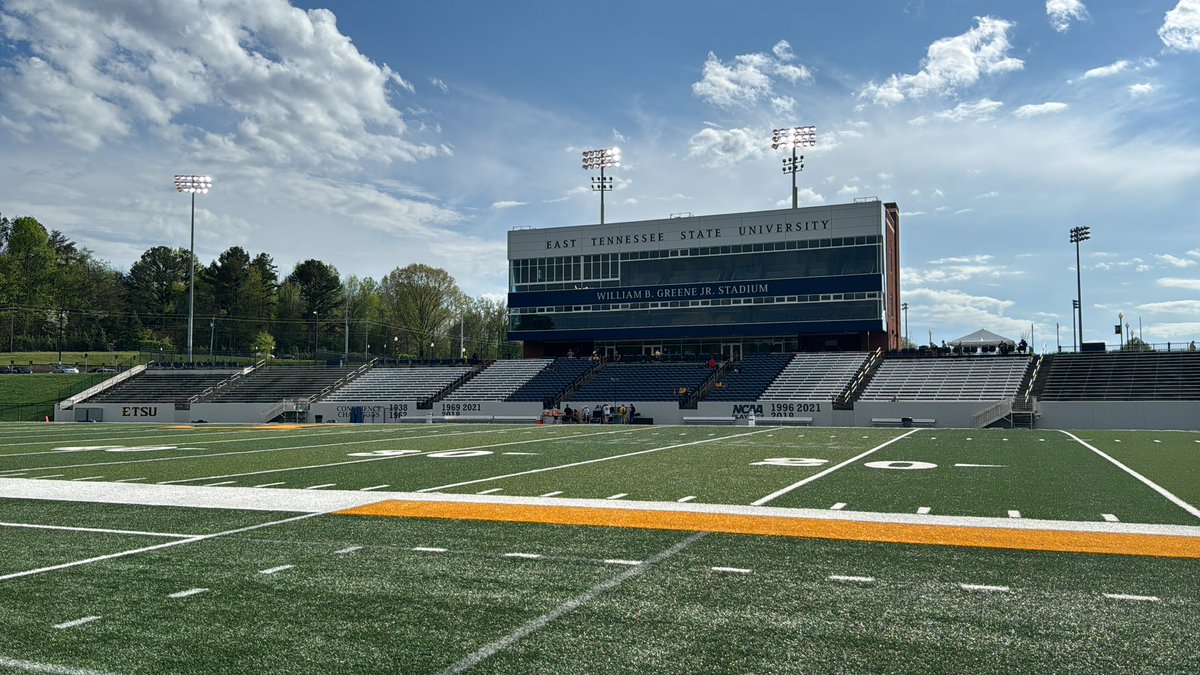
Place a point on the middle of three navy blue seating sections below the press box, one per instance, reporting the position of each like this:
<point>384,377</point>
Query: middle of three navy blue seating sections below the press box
<point>644,383</point>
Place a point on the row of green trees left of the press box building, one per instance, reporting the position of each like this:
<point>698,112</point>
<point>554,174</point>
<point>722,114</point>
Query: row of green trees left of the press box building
<point>56,295</point>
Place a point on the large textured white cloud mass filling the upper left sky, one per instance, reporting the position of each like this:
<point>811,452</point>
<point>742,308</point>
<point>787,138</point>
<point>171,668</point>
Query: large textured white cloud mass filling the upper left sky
<point>275,82</point>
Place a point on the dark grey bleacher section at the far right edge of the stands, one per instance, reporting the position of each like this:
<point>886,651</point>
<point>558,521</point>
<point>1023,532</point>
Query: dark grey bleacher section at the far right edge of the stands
<point>1120,377</point>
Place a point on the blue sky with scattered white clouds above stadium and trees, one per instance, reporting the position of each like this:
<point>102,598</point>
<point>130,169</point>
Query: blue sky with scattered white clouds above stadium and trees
<point>375,135</point>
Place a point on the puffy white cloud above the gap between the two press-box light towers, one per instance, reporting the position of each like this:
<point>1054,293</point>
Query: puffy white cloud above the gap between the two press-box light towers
<point>749,77</point>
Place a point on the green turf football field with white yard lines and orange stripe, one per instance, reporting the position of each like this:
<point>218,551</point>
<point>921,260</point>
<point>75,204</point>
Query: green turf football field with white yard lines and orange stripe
<point>598,549</point>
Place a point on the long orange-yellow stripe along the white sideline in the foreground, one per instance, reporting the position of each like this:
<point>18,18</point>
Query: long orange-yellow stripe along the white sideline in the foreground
<point>1162,546</point>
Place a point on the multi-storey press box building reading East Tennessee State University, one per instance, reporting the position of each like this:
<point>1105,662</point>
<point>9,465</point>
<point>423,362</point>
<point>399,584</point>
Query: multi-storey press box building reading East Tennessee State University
<point>789,280</point>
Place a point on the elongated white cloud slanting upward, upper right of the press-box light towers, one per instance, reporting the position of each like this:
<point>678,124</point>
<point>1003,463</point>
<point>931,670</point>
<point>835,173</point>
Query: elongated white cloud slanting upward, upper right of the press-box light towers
<point>952,63</point>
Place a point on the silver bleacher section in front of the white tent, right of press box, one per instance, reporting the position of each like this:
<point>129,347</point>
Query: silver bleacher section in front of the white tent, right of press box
<point>958,379</point>
